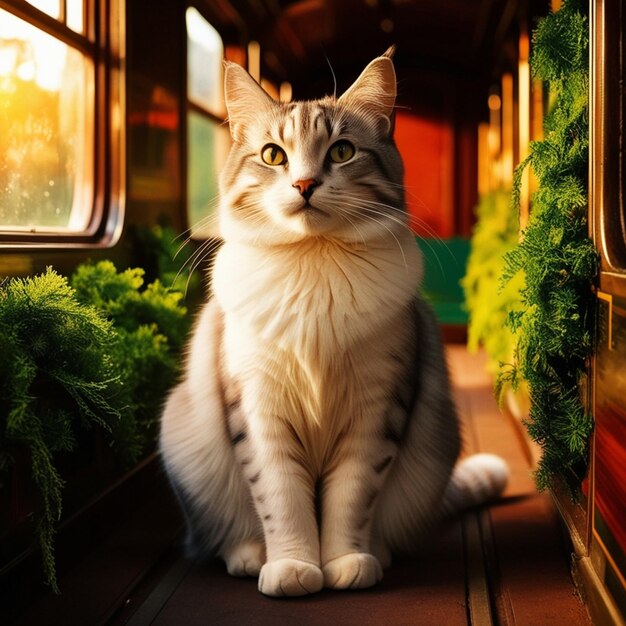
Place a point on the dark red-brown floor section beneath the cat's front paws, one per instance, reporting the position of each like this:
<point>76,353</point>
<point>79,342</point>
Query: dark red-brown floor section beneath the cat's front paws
<point>417,591</point>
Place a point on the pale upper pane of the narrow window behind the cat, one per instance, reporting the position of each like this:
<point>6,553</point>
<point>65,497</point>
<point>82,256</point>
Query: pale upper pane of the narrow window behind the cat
<point>205,52</point>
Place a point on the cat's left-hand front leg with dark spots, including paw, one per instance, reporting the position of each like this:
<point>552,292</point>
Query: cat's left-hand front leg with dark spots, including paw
<point>283,493</point>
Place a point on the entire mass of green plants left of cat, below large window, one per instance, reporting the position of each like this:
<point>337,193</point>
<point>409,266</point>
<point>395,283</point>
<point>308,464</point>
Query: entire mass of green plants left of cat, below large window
<point>99,352</point>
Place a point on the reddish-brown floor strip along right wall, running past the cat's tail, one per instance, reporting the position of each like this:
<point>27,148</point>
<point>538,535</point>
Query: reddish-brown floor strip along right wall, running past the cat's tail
<point>523,543</point>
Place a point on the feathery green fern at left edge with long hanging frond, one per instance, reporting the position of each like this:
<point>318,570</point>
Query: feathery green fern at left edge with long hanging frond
<point>55,378</point>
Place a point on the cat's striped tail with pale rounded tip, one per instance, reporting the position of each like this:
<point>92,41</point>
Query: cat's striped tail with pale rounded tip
<point>475,480</point>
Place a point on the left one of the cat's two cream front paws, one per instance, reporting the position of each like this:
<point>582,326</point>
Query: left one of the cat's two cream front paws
<point>290,577</point>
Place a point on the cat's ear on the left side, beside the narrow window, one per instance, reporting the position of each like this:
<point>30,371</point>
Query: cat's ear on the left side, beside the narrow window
<point>244,98</point>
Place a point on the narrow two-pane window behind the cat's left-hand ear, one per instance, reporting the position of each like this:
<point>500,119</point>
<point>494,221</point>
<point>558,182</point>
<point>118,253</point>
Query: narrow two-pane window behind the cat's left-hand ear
<point>208,139</point>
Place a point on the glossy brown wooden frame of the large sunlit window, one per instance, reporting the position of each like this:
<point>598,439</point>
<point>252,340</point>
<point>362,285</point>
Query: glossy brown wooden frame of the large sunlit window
<point>104,43</point>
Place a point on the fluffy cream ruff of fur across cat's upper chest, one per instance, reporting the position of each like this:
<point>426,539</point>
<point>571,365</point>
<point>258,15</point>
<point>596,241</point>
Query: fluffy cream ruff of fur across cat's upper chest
<point>318,297</point>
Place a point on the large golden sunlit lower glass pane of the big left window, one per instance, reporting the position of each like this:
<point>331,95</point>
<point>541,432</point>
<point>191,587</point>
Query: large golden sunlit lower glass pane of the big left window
<point>46,131</point>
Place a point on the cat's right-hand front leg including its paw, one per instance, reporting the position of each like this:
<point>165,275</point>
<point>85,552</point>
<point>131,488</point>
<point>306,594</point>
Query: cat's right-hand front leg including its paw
<point>350,490</point>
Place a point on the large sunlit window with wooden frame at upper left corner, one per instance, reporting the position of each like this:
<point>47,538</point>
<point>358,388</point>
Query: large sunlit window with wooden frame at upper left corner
<point>60,139</point>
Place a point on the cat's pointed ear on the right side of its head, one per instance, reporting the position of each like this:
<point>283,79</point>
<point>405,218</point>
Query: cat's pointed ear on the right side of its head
<point>375,89</point>
